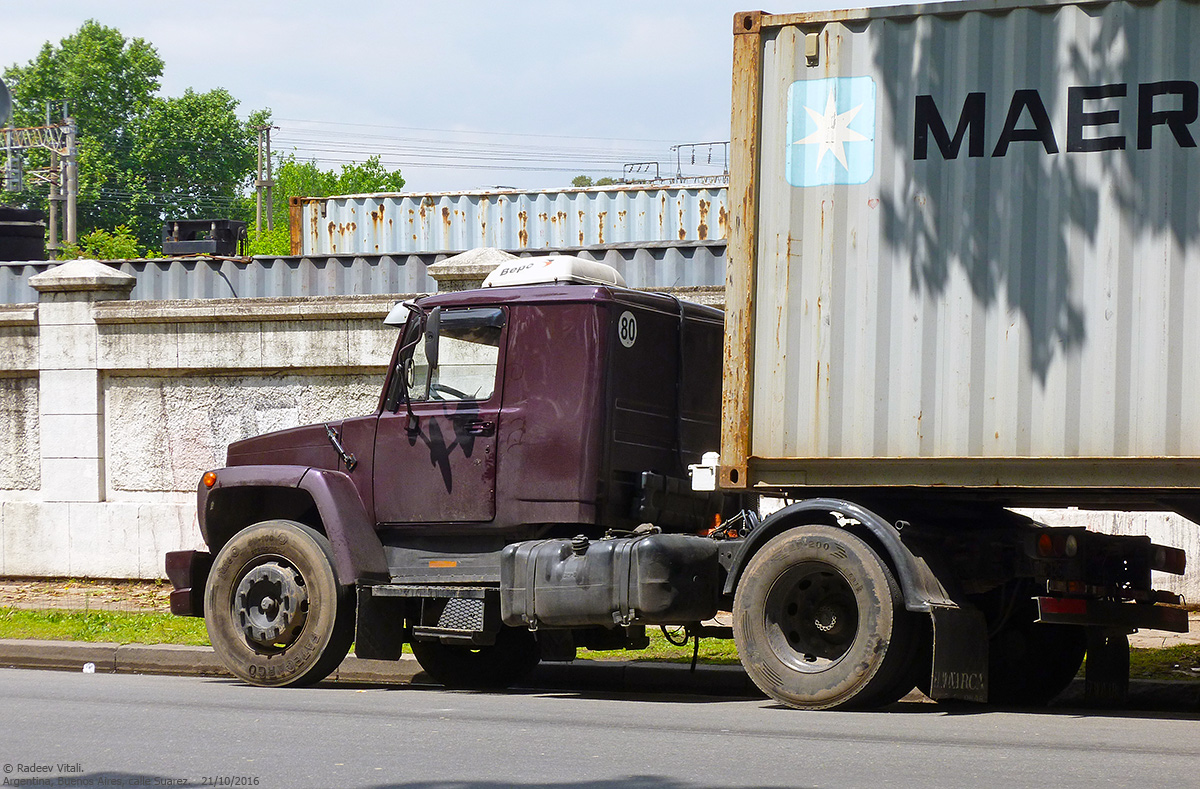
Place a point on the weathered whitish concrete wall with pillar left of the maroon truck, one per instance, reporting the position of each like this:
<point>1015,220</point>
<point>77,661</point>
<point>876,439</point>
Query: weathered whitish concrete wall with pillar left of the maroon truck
<point>111,409</point>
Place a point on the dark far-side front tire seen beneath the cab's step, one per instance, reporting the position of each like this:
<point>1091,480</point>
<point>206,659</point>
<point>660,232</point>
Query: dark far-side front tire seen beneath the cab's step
<point>514,655</point>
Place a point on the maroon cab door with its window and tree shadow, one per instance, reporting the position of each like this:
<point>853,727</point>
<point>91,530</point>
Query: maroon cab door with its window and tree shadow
<point>436,443</point>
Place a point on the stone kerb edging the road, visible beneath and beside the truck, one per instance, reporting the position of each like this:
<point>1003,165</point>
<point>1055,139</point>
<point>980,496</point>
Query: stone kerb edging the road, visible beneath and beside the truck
<point>609,677</point>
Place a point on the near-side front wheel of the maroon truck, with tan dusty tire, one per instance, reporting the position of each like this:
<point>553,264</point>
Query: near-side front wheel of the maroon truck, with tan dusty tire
<point>275,610</point>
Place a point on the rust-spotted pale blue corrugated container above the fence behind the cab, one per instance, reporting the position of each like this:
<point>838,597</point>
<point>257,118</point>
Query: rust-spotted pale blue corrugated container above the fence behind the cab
<point>556,220</point>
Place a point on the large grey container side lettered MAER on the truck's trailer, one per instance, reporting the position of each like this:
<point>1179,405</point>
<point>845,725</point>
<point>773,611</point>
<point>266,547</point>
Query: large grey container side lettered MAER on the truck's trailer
<point>973,251</point>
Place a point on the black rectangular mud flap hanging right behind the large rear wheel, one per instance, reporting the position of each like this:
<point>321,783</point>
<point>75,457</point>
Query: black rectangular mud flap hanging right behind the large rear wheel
<point>961,654</point>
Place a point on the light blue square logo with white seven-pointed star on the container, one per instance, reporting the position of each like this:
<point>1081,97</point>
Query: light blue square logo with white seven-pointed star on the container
<point>831,131</point>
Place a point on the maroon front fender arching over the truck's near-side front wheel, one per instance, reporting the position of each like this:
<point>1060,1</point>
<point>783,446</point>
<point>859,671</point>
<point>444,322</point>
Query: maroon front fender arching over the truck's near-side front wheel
<point>248,495</point>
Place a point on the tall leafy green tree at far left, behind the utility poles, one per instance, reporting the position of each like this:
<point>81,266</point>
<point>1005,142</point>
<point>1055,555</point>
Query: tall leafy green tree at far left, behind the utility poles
<point>143,159</point>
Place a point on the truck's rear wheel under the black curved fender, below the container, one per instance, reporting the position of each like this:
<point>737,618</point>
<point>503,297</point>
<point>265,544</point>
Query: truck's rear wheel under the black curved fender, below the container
<point>820,623</point>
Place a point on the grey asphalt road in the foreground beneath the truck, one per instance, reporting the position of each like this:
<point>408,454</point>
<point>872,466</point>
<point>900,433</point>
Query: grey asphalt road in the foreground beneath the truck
<point>154,731</point>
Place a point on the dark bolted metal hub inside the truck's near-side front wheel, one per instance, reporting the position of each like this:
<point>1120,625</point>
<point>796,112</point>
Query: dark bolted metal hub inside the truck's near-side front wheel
<point>272,606</point>
